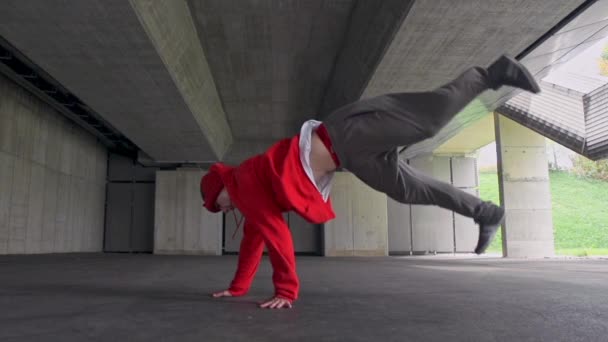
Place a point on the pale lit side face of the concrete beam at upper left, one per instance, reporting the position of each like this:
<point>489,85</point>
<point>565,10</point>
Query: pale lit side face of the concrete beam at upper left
<point>170,27</point>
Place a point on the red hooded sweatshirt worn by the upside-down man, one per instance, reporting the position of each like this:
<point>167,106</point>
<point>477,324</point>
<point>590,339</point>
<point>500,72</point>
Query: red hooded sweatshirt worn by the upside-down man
<point>263,187</point>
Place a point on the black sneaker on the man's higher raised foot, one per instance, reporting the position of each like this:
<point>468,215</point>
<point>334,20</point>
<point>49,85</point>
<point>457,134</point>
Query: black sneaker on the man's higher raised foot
<point>506,70</point>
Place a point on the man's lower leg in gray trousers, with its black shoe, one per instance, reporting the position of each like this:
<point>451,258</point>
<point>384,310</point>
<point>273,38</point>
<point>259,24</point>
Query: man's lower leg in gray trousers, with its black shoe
<point>387,173</point>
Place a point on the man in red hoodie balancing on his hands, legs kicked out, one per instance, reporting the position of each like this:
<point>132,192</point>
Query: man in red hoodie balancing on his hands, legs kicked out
<point>363,137</point>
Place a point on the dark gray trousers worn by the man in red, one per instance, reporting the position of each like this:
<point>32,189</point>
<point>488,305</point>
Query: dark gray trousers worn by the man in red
<point>366,136</point>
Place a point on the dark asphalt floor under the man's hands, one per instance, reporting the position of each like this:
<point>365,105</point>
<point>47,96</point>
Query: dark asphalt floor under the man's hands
<point>140,297</point>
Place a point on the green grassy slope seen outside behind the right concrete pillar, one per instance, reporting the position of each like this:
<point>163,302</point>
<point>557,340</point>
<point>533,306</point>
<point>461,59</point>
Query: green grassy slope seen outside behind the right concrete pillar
<point>580,213</point>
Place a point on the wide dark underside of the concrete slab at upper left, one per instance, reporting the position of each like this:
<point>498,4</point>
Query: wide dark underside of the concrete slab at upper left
<point>101,53</point>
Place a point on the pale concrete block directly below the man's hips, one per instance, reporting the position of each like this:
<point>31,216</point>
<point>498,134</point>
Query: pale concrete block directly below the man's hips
<point>360,228</point>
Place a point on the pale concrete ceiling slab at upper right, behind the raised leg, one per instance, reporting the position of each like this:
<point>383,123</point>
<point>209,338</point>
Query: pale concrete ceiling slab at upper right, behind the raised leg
<point>438,40</point>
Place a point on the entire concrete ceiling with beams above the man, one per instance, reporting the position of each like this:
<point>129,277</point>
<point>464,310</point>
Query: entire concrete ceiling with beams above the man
<point>204,80</point>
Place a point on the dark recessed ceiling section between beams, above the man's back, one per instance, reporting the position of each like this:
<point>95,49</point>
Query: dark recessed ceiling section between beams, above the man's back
<point>271,61</point>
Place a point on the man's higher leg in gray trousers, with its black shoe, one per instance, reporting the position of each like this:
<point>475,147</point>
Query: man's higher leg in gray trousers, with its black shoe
<point>401,119</point>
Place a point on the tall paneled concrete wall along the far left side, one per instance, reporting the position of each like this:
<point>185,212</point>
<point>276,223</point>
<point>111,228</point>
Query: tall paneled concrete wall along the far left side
<point>52,179</point>
